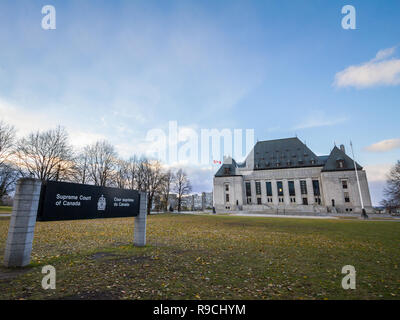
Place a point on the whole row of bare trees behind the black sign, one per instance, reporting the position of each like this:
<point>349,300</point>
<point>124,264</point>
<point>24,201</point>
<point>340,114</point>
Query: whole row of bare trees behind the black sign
<point>48,155</point>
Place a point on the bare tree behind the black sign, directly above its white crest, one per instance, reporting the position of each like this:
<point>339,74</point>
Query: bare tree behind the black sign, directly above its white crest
<point>101,163</point>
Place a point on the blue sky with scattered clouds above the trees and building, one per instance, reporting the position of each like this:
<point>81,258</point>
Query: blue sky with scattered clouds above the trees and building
<point>116,69</point>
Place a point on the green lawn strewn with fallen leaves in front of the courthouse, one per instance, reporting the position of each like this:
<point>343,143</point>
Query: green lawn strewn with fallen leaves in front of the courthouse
<point>209,257</point>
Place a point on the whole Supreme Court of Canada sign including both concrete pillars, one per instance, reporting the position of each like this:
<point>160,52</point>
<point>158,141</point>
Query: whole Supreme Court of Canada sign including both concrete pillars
<point>55,201</point>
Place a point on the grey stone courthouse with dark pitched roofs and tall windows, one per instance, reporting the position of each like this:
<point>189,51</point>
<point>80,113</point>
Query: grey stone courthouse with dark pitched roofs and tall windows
<point>284,175</point>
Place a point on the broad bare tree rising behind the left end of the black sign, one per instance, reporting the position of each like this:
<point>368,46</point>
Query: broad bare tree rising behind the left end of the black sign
<point>46,155</point>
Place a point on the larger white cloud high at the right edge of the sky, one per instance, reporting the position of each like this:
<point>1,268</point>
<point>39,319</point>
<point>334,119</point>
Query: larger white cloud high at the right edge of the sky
<point>378,71</point>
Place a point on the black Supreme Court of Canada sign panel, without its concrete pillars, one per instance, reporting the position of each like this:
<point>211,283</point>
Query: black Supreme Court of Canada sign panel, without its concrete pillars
<point>71,201</point>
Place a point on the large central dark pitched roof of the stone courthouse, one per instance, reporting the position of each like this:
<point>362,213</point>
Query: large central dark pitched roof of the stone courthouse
<point>284,153</point>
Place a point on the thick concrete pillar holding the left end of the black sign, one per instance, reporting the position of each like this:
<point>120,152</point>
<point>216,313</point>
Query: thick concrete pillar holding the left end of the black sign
<point>22,224</point>
